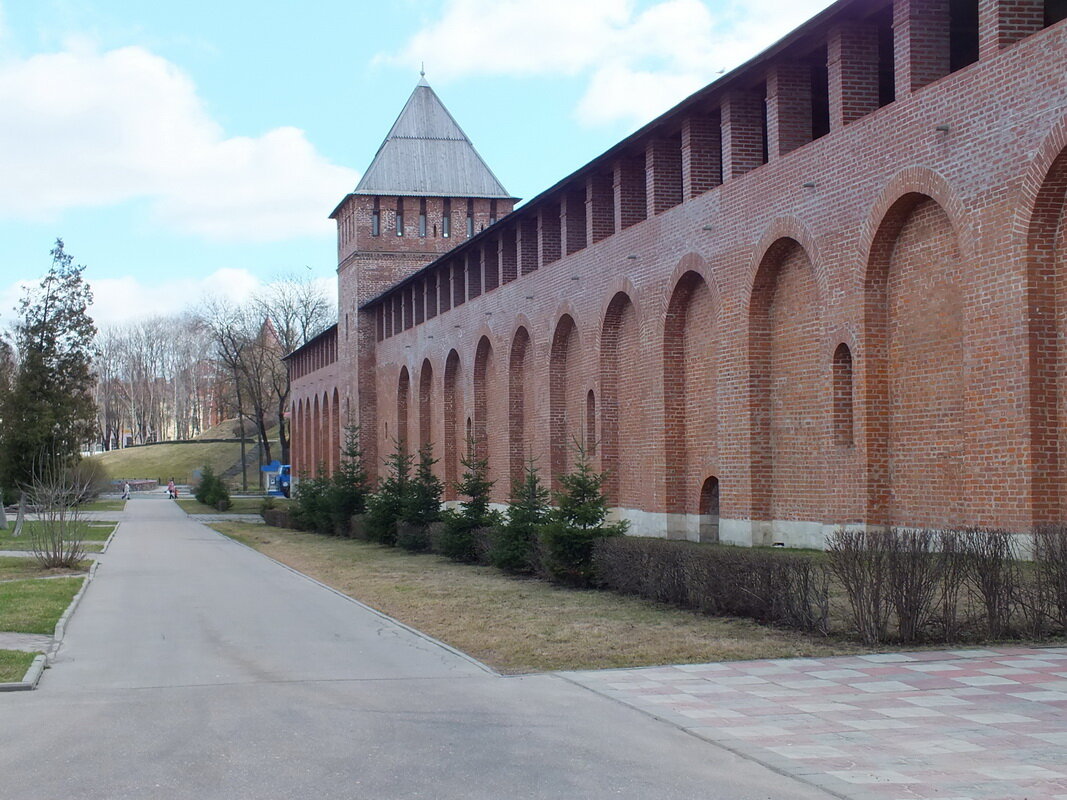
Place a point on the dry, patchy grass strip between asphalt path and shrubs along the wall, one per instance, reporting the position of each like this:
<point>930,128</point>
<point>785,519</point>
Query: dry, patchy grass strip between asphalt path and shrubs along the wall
<point>523,626</point>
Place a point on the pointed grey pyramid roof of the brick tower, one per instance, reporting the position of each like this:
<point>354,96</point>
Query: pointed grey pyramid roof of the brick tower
<point>426,153</point>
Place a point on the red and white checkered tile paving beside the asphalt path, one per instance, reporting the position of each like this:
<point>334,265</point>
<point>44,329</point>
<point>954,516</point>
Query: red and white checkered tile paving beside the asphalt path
<point>953,725</point>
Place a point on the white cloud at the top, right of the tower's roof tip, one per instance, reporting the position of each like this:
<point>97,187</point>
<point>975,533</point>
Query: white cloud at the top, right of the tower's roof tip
<point>638,63</point>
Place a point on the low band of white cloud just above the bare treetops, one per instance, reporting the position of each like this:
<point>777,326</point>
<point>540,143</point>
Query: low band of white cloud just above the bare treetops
<point>119,300</point>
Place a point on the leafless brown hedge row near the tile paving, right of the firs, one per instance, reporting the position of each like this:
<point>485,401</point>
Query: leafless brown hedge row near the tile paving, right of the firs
<point>900,586</point>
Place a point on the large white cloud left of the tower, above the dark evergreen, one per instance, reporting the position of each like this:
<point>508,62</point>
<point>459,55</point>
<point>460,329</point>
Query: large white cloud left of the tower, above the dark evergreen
<point>85,129</point>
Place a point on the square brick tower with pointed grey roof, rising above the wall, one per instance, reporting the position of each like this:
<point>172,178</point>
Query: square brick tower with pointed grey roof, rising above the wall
<point>426,191</point>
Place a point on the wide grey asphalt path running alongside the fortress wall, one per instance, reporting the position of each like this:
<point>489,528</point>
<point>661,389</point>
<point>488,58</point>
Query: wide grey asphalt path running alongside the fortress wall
<point>197,668</point>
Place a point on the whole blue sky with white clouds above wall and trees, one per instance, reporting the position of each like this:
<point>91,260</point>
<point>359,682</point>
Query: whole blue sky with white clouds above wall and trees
<point>195,149</point>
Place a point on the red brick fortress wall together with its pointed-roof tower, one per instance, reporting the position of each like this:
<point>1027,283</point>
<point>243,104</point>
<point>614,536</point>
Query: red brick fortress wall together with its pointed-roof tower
<point>830,289</point>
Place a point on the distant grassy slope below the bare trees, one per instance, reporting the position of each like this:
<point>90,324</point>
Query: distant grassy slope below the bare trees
<point>172,461</point>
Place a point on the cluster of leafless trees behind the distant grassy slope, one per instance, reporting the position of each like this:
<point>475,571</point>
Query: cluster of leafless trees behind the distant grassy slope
<point>164,378</point>
